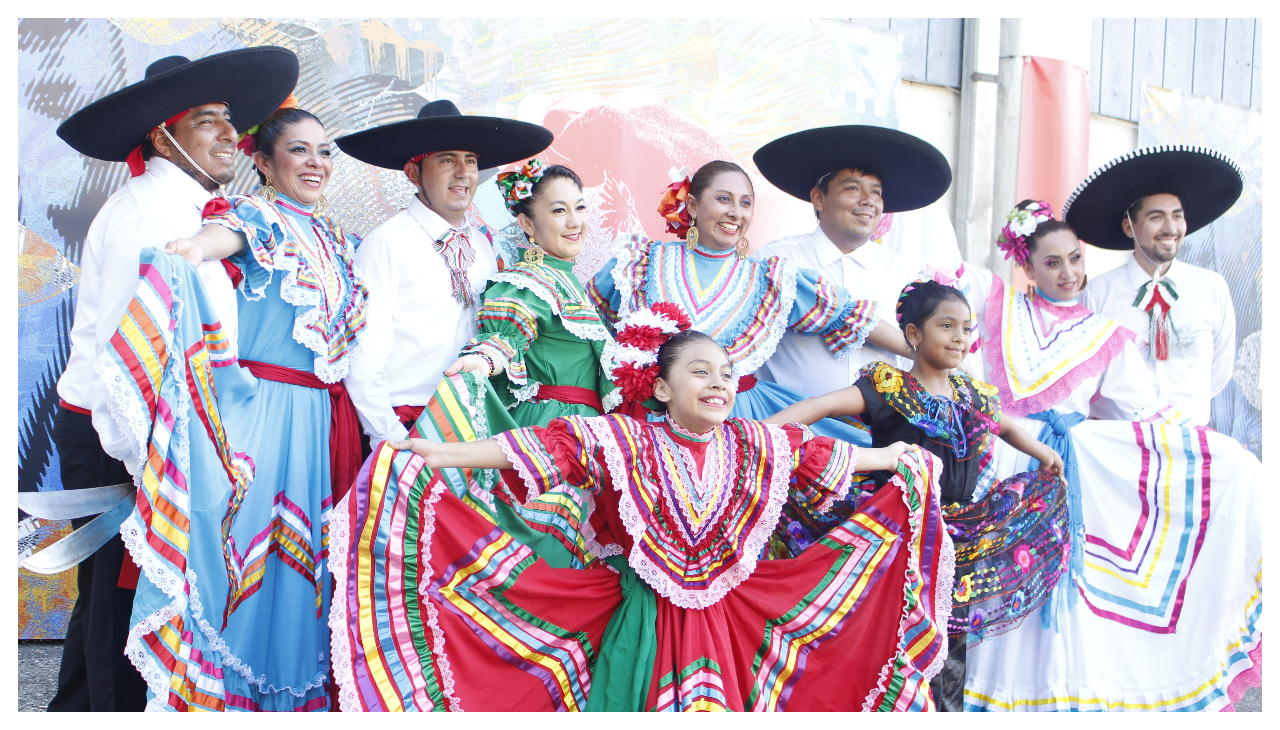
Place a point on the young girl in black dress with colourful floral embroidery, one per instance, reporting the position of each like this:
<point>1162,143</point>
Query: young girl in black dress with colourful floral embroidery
<point>1009,544</point>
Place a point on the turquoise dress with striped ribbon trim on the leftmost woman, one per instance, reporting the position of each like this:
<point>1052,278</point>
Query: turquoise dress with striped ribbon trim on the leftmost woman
<point>246,629</point>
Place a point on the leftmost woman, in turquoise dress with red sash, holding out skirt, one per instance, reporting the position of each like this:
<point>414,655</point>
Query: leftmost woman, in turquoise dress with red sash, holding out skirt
<point>232,522</point>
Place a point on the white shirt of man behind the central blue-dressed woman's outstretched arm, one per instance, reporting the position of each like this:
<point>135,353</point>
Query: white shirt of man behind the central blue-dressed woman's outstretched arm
<point>871,272</point>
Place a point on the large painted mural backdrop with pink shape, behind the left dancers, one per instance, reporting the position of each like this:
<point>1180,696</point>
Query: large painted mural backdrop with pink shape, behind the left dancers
<point>633,106</point>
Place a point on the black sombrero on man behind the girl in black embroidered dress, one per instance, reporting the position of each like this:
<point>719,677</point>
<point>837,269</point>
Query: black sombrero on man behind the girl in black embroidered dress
<point>913,172</point>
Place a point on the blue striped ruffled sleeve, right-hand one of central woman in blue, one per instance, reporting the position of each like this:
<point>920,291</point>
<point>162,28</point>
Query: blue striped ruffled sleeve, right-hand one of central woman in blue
<point>825,309</point>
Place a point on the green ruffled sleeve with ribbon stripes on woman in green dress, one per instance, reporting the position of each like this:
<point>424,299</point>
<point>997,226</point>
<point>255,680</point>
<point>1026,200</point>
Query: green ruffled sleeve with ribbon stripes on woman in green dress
<point>508,326</point>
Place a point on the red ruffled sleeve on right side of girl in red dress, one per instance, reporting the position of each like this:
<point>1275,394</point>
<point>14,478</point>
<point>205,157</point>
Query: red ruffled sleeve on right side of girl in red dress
<point>825,469</point>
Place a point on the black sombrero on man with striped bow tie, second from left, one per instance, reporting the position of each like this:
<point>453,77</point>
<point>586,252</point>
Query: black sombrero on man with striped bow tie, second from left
<point>440,126</point>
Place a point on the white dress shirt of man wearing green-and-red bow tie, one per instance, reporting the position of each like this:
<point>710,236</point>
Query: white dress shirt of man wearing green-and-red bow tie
<point>1205,320</point>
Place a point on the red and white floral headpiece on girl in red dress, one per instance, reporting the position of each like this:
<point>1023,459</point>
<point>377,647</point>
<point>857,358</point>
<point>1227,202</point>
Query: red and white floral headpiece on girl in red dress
<point>634,353</point>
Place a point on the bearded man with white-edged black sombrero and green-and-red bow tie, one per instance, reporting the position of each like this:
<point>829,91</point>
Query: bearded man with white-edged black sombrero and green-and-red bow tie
<point>1183,316</point>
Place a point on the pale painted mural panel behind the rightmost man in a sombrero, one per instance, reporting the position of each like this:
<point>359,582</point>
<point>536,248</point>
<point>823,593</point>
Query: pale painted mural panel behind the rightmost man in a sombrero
<point>1233,245</point>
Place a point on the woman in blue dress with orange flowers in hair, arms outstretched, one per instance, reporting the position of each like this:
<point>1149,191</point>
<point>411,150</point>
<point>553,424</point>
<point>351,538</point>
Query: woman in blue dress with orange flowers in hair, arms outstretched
<point>744,304</point>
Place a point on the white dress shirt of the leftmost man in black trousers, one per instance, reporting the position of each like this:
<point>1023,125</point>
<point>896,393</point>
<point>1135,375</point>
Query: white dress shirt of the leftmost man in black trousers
<point>153,209</point>
